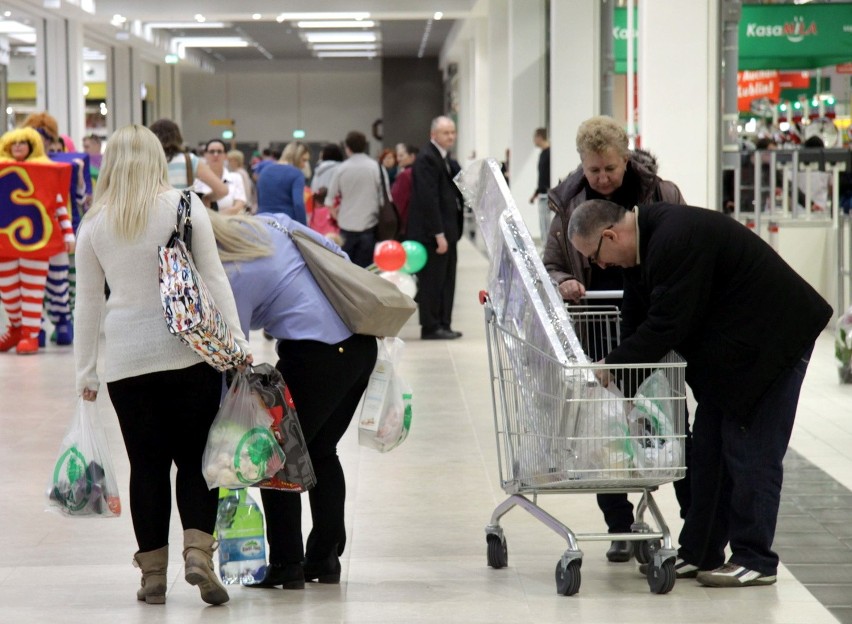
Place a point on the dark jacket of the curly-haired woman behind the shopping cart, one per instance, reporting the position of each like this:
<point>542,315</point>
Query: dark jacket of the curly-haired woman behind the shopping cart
<point>561,260</point>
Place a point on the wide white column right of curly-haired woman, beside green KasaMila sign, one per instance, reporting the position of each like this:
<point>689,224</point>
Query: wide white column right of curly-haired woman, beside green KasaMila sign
<point>679,93</point>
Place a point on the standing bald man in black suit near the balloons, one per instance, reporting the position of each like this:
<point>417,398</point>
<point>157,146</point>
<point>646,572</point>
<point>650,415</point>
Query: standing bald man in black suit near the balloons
<point>435,220</point>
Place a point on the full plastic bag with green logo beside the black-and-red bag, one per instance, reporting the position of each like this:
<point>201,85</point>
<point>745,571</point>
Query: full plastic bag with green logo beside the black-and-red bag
<point>241,449</point>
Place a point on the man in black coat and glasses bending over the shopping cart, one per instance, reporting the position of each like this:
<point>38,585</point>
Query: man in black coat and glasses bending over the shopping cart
<point>702,284</point>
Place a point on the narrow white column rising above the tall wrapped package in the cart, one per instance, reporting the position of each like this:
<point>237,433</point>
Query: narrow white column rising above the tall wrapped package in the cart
<point>527,64</point>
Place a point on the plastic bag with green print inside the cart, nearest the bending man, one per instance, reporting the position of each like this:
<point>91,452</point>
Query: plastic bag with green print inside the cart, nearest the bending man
<point>652,428</point>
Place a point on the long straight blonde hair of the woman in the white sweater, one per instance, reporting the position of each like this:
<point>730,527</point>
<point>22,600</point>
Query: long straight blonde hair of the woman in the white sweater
<point>133,173</point>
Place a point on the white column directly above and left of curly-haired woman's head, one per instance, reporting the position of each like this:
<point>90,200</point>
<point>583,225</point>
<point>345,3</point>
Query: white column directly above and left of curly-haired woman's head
<point>575,82</point>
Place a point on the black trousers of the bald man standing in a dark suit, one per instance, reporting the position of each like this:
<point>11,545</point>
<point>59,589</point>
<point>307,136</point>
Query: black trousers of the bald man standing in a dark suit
<point>436,288</point>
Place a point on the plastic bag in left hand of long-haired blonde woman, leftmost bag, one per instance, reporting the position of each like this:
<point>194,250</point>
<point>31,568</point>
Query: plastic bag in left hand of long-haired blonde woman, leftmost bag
<point>82,483</point>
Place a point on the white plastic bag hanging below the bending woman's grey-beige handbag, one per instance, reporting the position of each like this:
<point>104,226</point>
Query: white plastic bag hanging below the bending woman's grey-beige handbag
<point>385,416</point>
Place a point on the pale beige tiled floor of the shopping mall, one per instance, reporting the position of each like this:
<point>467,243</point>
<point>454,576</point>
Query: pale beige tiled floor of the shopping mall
<point>416,516</point>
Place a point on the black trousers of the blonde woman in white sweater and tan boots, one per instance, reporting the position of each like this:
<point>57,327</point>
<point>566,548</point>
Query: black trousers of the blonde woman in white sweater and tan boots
<point>164,418</point>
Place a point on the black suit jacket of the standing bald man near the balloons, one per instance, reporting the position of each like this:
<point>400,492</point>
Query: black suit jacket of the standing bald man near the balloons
<point>435,205</point>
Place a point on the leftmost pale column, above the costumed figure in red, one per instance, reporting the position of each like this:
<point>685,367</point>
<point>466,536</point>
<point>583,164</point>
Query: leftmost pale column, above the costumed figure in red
<point>59,77</point>
